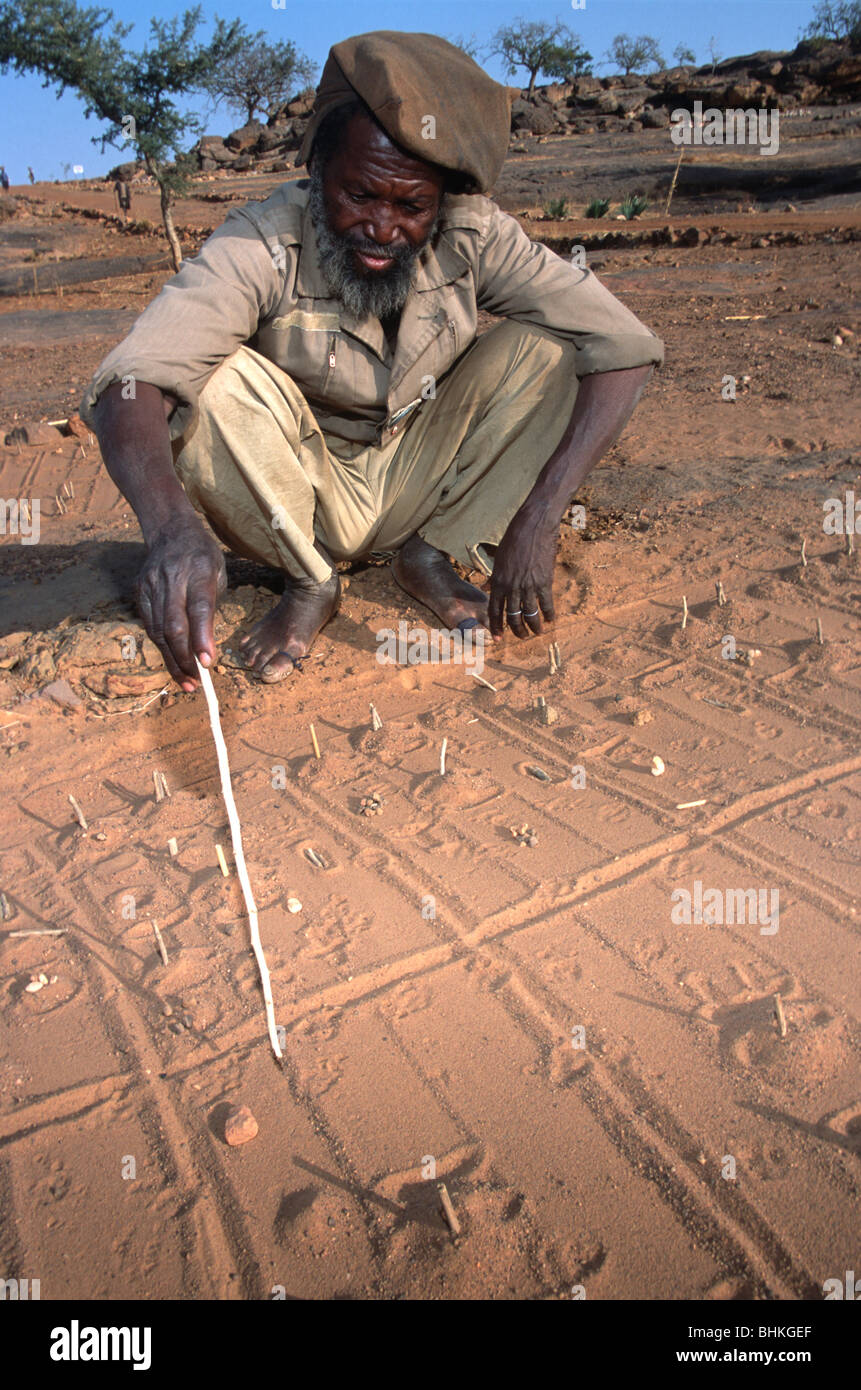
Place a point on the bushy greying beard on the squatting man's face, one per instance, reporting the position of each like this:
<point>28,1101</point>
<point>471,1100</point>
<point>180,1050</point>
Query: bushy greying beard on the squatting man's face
<point>380,295</point>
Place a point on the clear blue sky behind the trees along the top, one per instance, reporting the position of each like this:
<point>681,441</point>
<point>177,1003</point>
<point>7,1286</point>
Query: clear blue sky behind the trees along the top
<point>40,130</point>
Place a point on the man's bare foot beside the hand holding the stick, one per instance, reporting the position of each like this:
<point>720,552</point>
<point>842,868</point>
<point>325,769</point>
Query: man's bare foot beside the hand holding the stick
<point>279,641</point>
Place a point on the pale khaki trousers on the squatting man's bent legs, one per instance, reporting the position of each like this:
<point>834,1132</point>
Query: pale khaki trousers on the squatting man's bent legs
<point>258,466</point>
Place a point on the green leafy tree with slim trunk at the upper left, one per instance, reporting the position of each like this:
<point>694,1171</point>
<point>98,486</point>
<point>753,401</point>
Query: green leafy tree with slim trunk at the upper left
<point>84,51</point>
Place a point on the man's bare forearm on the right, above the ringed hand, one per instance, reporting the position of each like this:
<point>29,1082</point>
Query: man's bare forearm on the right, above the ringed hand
<point>606,402</point>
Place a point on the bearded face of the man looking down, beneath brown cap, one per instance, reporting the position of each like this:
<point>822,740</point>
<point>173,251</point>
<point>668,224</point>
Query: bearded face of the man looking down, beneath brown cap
<point>375,208</point>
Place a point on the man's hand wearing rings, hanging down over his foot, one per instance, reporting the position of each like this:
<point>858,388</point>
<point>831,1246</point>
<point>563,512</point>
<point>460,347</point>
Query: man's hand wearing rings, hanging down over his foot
<point>522,586</point>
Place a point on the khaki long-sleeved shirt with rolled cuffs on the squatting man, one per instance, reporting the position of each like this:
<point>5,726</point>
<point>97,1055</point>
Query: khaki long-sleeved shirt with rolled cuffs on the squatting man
<point>258,281</point>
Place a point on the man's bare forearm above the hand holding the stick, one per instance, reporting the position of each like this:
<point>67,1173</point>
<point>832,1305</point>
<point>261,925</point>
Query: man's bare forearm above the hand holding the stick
<point>136,444</point>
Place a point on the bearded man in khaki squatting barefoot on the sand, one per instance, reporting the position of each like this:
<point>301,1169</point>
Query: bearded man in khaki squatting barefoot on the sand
<point>314,386</point>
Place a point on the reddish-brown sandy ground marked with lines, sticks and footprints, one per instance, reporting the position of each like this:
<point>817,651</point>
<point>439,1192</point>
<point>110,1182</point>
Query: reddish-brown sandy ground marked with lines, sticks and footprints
<point>606,1092</point>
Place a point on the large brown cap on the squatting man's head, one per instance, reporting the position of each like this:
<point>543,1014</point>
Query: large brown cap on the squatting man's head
<point>408,79</point>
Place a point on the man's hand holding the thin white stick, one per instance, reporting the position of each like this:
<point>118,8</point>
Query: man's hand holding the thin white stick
<point>177,593</point>
